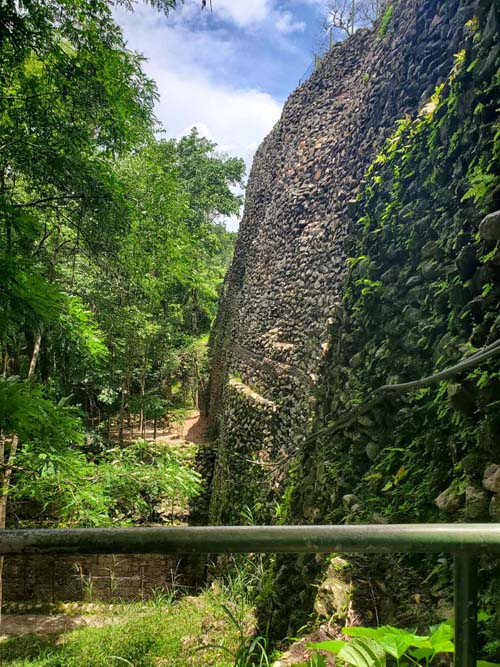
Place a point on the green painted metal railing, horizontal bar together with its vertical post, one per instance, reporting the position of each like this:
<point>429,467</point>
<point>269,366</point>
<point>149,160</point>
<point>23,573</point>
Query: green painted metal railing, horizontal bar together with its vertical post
<point>466,542</point>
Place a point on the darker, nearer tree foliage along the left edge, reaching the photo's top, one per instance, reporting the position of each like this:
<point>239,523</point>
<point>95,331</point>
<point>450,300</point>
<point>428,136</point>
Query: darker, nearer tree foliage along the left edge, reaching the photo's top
<point>72,99</point>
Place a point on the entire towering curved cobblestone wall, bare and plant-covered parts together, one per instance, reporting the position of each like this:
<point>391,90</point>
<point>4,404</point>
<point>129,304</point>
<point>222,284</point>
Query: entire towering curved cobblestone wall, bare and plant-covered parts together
<point>361,260</point>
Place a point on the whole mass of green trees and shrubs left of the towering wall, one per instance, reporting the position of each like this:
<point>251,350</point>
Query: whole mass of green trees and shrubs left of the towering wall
<point>112,251</point>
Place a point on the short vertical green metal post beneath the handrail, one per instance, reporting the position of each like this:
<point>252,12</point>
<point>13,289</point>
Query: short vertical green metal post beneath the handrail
<point>465,585</point>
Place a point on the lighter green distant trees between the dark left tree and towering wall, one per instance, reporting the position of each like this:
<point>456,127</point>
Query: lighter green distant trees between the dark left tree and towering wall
<point>157,303</point>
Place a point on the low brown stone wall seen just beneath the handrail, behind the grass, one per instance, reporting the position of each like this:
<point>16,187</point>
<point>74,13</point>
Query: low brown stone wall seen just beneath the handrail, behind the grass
<point>92,578</point>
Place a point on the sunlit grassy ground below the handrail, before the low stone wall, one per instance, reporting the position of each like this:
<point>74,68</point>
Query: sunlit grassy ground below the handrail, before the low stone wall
<point>143,635</point>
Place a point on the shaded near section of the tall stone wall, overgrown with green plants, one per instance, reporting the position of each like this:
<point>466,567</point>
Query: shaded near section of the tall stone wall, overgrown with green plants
<point>422,292</point>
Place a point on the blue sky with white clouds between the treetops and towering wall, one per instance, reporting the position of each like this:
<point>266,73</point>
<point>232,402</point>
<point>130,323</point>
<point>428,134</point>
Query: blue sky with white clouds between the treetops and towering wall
<point>227,72</point>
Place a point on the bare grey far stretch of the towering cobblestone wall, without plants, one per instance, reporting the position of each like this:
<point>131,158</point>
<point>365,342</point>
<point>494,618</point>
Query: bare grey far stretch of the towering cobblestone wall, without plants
<point>283,288</point>
